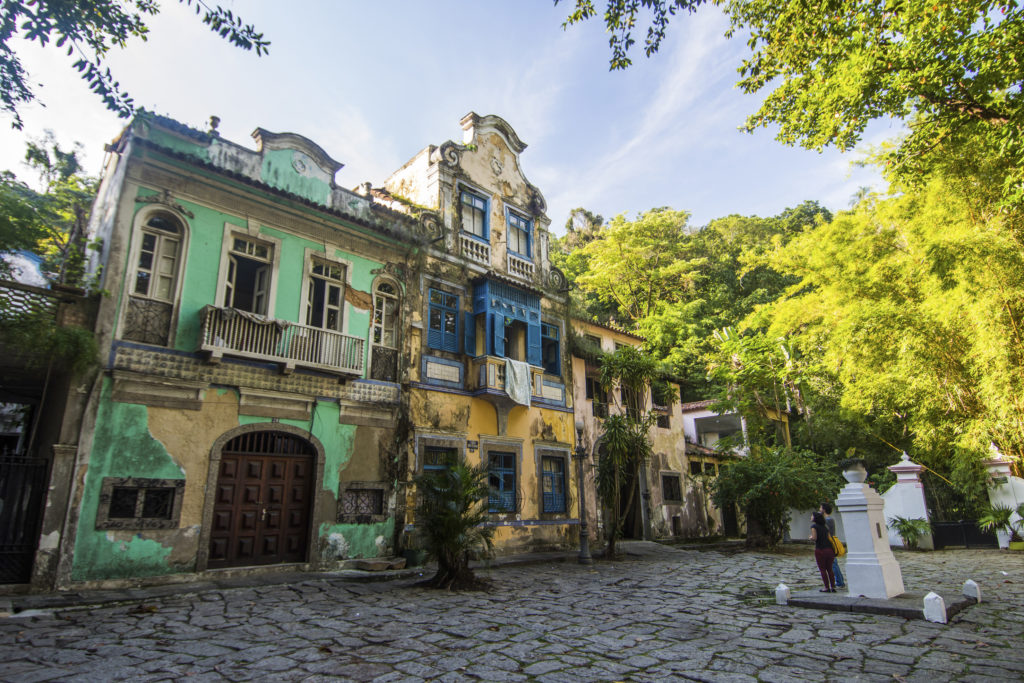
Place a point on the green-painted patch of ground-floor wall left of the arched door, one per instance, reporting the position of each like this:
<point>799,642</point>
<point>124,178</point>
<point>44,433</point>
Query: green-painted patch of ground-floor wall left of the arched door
<point>122,447</point>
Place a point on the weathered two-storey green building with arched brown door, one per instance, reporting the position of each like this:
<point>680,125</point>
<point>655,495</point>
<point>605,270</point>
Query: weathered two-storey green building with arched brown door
<point>251,340</point>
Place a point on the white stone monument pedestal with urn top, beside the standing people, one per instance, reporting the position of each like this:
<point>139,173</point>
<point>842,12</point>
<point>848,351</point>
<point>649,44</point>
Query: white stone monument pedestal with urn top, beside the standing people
<point>871,569</point>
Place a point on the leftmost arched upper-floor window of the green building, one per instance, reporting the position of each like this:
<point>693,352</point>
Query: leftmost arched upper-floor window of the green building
<point>154,285</point>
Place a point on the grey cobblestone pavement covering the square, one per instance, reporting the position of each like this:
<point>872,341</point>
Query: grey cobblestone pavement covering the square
<point>668,615</point>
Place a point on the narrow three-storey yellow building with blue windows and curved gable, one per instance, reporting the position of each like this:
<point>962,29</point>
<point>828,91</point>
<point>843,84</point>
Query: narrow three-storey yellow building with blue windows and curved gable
<point>487,335</point>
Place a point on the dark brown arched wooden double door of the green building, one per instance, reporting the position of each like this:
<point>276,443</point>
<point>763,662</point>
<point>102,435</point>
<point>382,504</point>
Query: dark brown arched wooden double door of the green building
<point>264,501</point>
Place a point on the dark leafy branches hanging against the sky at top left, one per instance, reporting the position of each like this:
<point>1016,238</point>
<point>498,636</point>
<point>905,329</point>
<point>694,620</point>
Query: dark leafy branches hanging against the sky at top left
<point>88,30</point>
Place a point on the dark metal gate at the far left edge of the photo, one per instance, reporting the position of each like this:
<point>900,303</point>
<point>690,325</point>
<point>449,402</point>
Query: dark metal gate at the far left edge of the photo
<point>23,497</point>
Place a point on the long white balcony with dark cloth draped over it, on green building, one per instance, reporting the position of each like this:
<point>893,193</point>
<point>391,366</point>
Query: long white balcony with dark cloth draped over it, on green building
<point>231,332</point>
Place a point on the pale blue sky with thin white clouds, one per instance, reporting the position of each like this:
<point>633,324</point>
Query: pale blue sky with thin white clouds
<point>375,82</point>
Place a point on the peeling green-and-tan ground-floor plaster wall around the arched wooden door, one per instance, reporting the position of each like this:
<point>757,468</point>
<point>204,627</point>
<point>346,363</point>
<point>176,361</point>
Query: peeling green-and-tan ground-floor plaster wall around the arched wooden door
<point>135,441</point>
